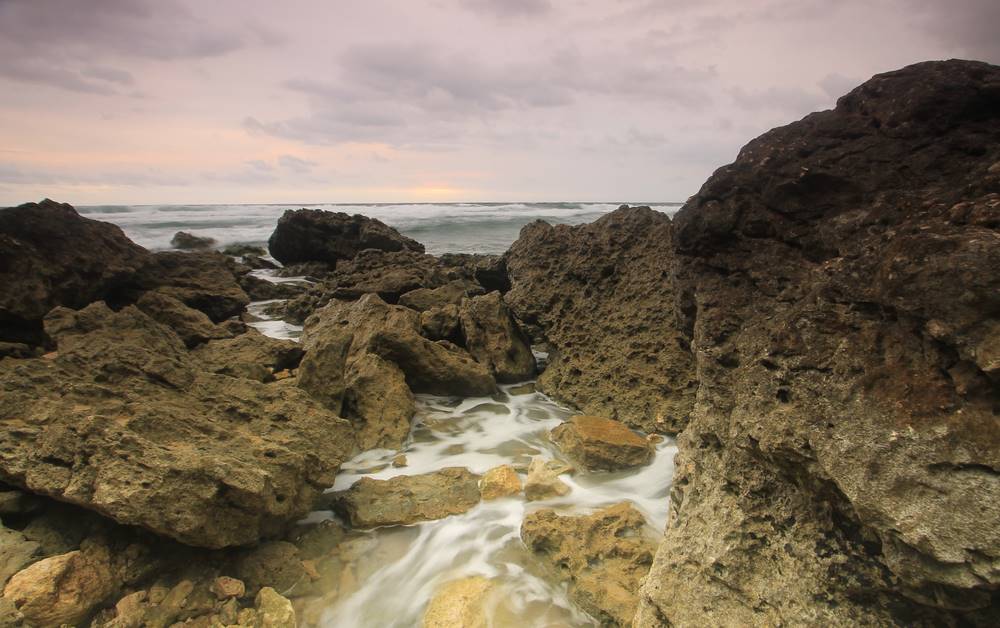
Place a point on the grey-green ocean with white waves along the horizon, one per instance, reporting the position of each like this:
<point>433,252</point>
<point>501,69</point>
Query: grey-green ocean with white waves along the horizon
<point>441,227</point>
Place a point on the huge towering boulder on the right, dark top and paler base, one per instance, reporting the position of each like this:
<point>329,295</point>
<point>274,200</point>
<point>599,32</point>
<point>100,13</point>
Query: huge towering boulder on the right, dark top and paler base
<point>842,464</point>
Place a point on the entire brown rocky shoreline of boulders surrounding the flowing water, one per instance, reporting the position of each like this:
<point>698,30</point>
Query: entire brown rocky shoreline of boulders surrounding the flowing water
<point>819,325</point>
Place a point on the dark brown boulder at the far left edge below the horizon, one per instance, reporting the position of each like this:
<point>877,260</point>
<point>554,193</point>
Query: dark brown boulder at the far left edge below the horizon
<point>49,256</point>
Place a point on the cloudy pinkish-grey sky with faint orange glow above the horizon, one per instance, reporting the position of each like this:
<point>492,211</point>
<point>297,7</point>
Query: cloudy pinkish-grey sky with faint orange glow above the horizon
<point>312,101</point>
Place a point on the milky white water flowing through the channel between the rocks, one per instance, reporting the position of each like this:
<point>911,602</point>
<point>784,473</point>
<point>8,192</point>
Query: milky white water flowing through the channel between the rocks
<point>385,577</point>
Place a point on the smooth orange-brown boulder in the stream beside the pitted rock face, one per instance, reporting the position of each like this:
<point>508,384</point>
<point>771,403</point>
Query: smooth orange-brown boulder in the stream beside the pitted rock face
<point>601,444</point>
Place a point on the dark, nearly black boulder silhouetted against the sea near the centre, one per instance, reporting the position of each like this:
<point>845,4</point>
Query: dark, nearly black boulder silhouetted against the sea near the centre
<point>313,235</point>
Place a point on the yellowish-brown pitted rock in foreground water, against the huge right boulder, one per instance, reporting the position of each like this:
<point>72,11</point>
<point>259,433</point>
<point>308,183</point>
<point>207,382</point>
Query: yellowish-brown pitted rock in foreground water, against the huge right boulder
<point>603,556</point>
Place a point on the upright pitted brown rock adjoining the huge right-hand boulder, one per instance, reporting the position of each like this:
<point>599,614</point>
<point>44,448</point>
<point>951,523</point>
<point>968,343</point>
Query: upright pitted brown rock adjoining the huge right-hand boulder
<point>602,298</point>
